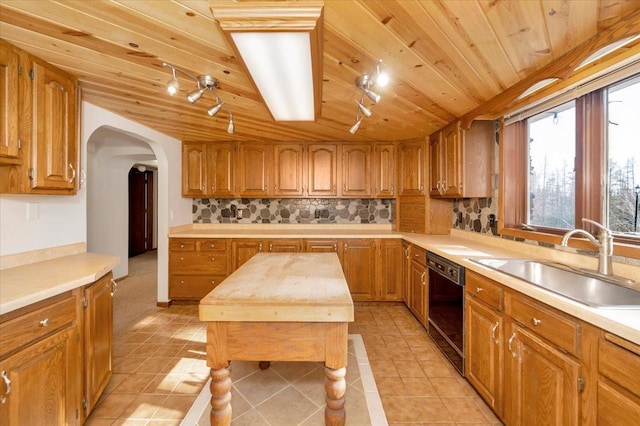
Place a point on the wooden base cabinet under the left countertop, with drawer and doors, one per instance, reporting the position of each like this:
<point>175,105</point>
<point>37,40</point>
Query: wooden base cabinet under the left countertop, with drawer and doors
<point>56,356</point>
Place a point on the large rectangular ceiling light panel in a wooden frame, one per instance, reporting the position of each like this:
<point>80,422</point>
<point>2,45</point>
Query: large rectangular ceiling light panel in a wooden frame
<point>281,47</point>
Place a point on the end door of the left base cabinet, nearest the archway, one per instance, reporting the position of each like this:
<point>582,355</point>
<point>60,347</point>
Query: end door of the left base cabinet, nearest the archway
<point>98,338</point>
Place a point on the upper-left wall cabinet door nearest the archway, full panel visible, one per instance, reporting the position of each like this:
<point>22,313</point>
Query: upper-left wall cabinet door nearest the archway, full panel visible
<point>54,155</point>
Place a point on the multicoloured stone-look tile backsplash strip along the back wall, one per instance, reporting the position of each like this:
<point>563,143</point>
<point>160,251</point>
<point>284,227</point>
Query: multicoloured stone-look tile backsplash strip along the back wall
<point>305,210</point>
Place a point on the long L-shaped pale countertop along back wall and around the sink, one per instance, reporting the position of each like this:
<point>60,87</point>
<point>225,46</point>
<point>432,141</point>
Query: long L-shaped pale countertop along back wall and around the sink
<point>459,246</point>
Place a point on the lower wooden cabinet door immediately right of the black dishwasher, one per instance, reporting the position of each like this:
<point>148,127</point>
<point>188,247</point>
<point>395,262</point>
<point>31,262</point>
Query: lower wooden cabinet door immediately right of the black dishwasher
<point>484,351</point>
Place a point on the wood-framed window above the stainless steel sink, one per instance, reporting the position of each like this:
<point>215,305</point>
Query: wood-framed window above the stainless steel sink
<point>573,160</point>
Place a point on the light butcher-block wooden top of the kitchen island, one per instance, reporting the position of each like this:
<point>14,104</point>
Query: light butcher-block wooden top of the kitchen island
<point>285,287</point>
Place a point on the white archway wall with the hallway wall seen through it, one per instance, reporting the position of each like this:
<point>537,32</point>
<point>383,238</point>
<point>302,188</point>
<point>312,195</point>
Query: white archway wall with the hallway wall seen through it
<point>115,145</point>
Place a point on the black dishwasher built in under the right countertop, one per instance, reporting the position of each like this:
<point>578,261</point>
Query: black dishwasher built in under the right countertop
<point>446,308</point>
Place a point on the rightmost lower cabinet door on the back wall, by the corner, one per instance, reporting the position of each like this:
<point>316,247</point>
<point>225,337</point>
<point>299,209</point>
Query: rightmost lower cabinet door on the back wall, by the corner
<point>389,279</point>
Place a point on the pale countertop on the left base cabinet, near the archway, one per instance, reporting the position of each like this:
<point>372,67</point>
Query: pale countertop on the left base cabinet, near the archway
<point>23,285</point>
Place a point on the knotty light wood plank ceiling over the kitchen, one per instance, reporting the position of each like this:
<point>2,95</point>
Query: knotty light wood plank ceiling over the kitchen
<point>446,58</point>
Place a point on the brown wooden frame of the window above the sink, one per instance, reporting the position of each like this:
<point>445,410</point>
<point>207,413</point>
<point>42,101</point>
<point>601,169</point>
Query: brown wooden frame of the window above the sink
<point>590,170</point>
